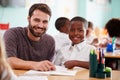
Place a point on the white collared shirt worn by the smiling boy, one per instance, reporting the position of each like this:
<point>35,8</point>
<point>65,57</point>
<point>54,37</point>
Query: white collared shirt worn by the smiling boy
<point>79,52</point>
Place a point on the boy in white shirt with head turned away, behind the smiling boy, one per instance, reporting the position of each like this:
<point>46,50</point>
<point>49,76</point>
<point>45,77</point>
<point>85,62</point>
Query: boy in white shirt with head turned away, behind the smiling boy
<point>62,39</point>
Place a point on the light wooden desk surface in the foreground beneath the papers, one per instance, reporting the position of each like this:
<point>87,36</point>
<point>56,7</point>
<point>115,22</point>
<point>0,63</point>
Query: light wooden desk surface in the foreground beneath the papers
<point>81,75</point>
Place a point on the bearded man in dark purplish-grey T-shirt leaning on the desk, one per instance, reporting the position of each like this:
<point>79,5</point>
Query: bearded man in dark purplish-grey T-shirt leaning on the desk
<point>30,47</point>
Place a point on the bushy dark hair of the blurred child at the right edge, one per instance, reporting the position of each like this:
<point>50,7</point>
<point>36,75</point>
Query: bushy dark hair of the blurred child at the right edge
<point>113,27</point>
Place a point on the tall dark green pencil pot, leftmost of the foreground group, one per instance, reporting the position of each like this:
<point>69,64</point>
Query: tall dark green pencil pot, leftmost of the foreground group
<point>93,65</point>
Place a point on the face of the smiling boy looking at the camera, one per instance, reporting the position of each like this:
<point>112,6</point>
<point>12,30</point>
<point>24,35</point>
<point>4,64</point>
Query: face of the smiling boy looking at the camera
<point>77,32</point>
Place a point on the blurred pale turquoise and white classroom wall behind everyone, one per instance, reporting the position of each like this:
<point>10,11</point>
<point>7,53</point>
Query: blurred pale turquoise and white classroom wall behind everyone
<point>89,9</point>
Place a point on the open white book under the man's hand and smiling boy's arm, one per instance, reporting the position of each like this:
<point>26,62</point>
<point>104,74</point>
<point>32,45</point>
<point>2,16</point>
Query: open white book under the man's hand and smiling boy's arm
<point>59,71</point>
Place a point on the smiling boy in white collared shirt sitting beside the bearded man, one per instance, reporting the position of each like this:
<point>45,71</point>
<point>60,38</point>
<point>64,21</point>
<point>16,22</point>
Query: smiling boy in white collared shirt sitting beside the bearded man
<point>76,54</point>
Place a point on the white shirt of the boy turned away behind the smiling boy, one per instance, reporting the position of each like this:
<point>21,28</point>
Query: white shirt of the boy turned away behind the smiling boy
<point>61,40</point>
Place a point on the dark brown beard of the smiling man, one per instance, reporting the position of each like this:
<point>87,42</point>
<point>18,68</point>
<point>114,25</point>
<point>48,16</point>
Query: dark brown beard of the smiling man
<point>37,34</point>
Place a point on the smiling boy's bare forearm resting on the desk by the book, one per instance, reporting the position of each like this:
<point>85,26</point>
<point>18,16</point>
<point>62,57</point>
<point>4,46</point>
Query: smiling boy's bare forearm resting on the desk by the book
<point>72,63</point>
